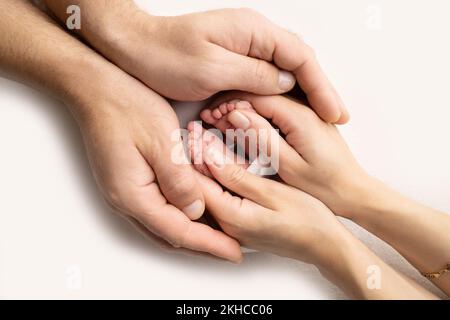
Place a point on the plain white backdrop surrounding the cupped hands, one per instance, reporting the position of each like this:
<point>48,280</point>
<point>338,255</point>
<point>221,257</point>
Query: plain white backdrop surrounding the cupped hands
<point>388,59</point>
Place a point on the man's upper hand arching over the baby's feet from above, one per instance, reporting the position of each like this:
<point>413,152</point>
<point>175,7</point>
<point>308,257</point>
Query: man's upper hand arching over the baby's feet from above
<point>194,56</point>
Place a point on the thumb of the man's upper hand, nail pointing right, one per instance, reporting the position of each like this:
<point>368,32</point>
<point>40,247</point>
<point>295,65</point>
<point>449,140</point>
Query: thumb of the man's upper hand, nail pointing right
<point>256,76</point>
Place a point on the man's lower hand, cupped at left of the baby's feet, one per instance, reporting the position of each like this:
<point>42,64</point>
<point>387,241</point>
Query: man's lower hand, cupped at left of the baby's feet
<point>127,129</point>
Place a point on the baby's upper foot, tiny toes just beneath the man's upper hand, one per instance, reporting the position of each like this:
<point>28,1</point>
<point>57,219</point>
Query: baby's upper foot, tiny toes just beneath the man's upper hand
<point>219,117</point>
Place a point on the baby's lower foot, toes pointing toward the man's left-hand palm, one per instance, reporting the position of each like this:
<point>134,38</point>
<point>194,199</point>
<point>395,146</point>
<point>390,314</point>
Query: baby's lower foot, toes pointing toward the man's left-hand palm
<point>201,140</point>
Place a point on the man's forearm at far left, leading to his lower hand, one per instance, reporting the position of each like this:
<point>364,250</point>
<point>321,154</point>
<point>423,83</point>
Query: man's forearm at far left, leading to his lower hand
<point>31,48</point>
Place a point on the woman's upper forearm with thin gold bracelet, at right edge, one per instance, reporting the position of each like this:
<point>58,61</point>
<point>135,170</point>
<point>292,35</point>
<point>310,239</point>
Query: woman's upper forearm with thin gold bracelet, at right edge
<point>419,233</point>
